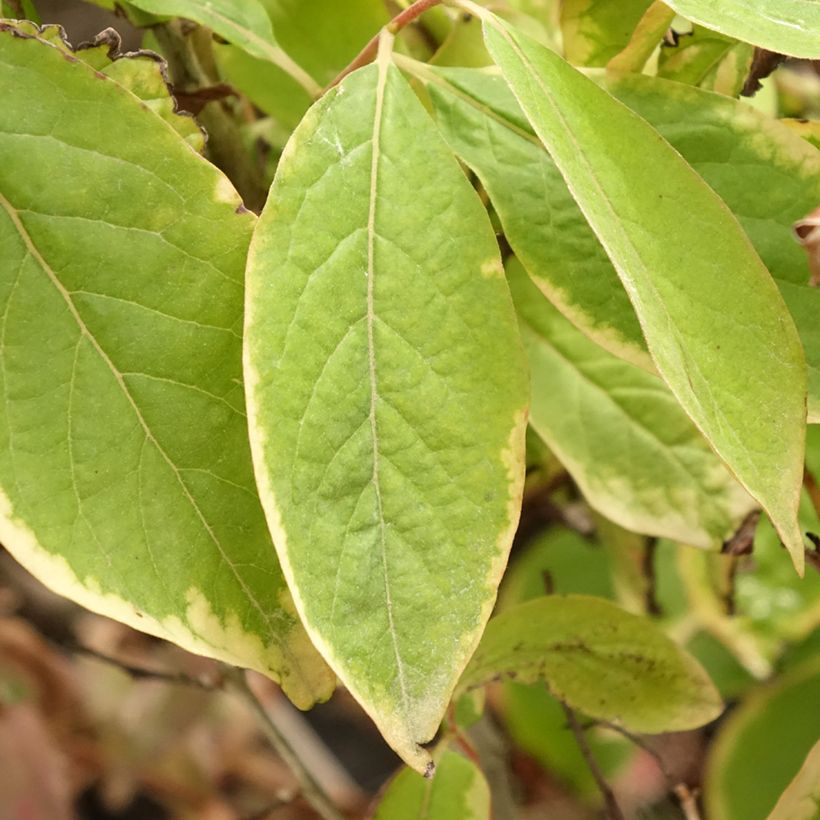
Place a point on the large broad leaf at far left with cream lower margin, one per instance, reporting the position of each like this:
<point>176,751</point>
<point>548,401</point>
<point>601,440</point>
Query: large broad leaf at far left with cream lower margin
<point>125,473</point>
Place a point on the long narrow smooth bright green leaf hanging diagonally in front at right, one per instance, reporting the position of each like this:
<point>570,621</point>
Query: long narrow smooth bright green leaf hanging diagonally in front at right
<point>689,271</point>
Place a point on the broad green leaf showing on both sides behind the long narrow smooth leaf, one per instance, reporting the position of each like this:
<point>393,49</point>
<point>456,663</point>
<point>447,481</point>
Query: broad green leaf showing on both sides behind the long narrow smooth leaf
<point>738,151</point>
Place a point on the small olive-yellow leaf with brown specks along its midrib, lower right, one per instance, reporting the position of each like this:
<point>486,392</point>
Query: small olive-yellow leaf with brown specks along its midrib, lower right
<point>607,663</point>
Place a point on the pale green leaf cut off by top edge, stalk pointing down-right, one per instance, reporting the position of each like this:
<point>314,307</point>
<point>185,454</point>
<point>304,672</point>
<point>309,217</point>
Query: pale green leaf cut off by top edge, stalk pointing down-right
<point>245,24</point>
